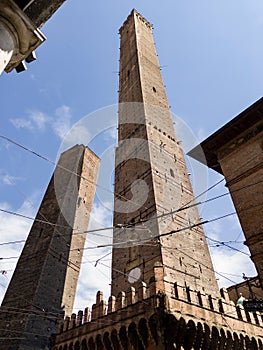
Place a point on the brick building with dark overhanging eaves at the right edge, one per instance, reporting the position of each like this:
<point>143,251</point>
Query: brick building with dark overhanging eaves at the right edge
<point>236,151</point>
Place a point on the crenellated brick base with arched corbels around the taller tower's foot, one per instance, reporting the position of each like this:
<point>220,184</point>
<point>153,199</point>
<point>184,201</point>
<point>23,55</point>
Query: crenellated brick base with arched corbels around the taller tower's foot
<point>136,315</point>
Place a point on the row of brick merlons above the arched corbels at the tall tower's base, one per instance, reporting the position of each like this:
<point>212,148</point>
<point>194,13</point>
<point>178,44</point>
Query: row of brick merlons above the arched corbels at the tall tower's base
<point>190,303</point>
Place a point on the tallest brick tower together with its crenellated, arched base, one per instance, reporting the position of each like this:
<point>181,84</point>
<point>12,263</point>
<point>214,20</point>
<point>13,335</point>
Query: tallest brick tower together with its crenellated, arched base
<point>164,292</point>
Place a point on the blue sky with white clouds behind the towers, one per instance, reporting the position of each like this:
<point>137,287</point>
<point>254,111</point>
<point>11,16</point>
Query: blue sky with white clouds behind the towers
<point>210,53</point>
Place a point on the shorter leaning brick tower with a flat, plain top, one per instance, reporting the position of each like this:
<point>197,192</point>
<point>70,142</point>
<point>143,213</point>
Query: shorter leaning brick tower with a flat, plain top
<point>44,283</point>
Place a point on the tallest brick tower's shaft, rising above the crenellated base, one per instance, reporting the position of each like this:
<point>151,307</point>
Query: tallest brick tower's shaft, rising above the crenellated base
<point>151,179</point>
